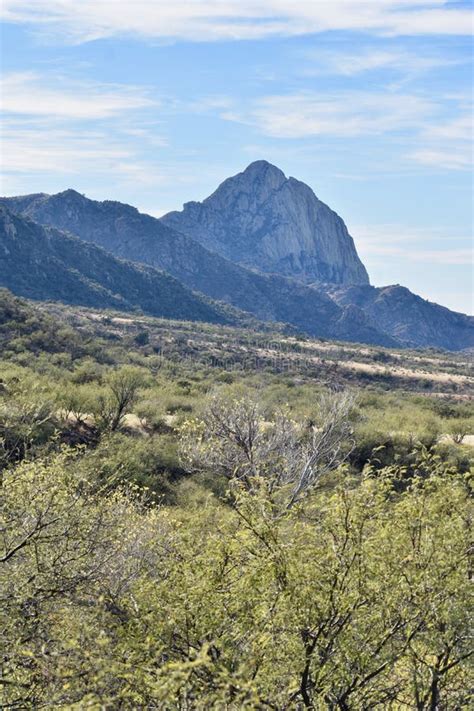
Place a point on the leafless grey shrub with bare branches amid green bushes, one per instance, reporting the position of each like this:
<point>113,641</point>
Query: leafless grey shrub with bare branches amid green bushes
<point>236,439</point>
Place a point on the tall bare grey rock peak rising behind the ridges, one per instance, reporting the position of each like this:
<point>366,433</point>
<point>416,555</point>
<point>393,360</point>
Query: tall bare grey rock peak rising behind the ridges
<point>265,221</point>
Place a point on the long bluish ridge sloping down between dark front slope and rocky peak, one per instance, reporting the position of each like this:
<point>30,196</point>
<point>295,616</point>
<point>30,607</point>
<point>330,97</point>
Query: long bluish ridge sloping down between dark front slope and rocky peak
<point>129,234</point>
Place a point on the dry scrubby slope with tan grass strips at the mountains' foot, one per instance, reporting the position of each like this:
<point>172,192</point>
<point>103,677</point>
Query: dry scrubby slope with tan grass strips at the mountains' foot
<point>242,352</point>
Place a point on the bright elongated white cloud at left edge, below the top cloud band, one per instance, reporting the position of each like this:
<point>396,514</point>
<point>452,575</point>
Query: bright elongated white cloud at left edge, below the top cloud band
<point>27,93</point>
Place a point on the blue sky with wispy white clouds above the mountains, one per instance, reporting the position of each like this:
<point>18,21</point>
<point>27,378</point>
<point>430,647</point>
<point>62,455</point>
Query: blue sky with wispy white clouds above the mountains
<point>154,103</point>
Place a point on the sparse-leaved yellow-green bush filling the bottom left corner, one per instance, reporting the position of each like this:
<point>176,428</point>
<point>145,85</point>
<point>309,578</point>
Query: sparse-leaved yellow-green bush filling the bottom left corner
<point>67,561</point>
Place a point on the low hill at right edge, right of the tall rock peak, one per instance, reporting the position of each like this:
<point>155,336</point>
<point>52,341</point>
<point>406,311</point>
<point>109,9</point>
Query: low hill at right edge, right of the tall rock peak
<point>407,317</point>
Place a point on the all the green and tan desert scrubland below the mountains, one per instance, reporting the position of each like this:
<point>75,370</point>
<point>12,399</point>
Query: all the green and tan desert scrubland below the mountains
<point>196,517</point>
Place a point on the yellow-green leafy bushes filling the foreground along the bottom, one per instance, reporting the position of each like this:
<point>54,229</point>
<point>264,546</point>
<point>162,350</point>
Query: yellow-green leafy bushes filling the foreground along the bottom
<point>357,597</point>
